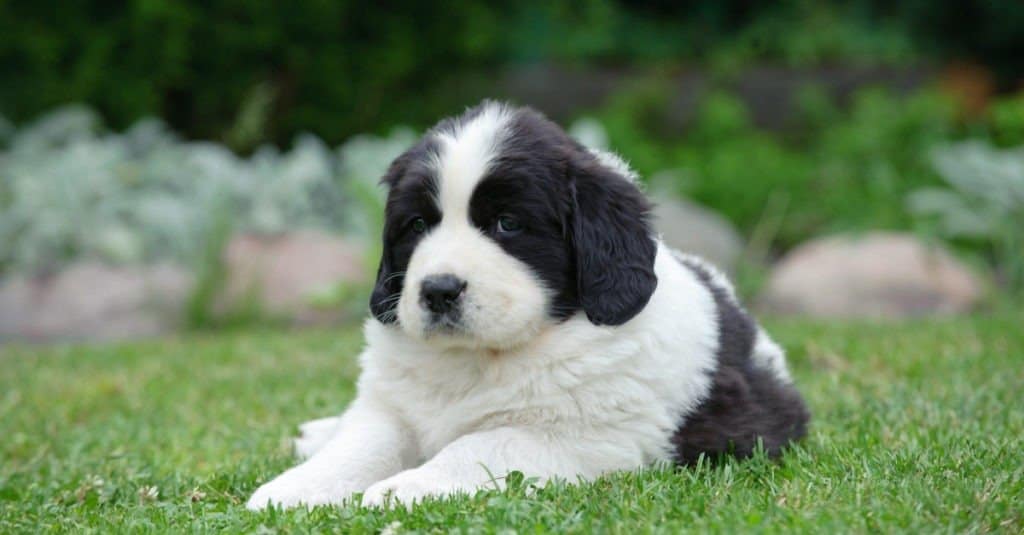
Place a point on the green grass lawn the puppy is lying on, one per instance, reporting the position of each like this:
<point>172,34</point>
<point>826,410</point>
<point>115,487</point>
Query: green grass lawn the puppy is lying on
<point>918,427</point>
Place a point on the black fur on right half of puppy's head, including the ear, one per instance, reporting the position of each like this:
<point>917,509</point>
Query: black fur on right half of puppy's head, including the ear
<point>586,232</point>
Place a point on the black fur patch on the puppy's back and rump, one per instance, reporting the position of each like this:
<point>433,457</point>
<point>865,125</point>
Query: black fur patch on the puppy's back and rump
<point>747,404</point>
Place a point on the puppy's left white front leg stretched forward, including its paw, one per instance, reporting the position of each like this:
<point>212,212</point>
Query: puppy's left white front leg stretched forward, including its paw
<point>370,444</point>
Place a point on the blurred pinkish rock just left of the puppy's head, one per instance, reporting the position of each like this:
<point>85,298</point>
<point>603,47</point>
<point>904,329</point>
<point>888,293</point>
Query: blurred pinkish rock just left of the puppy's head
<point>283,273</point>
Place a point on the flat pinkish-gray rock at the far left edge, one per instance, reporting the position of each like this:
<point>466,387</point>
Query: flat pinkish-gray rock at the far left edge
<point>93,302</point>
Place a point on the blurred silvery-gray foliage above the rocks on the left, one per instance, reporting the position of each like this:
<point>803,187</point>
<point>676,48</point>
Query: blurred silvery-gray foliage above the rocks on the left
<point>71,191</point>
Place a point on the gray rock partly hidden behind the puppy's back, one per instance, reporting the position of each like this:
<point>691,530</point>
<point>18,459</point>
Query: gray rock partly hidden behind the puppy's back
<point>694,229</point>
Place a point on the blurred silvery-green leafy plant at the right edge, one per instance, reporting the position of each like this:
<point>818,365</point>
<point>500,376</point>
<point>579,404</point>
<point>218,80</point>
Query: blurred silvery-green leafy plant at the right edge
<point>985,202</point>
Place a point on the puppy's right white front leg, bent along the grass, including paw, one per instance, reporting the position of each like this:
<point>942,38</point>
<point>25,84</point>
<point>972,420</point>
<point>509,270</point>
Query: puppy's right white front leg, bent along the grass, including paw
<point>483,460</point>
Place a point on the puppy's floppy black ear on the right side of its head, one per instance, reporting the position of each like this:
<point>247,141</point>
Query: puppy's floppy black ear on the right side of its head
<point>615,248</point>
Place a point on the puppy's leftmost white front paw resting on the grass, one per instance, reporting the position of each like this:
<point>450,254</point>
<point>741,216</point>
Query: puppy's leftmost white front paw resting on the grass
<point>298,487</point>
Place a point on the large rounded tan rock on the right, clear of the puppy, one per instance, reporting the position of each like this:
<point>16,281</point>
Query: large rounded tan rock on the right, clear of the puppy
<point>879,275</point>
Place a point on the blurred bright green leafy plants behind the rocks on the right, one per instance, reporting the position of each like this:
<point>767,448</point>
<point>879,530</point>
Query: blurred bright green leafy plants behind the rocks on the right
<point>844,170</point>
